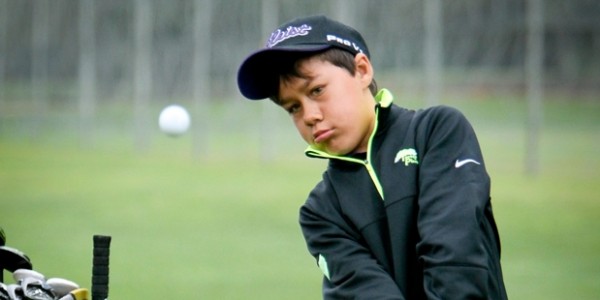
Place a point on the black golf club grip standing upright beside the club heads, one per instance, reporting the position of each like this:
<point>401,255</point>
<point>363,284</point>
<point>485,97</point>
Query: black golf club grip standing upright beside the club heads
<point>100,267</point>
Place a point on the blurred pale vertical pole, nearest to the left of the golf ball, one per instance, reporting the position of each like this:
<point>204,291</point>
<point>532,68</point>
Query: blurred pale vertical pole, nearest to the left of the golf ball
<point>142,71</point>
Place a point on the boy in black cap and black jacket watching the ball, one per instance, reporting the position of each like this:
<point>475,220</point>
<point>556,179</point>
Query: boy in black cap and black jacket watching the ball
<point>403,210</point>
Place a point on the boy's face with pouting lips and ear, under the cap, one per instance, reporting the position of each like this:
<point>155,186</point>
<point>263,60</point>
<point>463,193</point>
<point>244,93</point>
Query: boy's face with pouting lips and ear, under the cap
<point>332,109</point>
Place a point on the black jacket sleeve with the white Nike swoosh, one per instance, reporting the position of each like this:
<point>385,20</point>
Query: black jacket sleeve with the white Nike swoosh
<point>454,195</point>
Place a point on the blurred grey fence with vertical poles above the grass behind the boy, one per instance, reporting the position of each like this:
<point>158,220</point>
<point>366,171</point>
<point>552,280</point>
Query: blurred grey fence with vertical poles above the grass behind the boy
<point>88,66</point>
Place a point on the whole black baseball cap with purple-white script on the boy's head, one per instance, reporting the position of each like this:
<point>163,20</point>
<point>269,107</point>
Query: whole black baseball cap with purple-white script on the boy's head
<point>256,76</point>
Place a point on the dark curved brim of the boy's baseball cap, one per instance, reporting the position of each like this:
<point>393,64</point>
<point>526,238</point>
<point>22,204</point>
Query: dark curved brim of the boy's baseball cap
<point>258,77</point>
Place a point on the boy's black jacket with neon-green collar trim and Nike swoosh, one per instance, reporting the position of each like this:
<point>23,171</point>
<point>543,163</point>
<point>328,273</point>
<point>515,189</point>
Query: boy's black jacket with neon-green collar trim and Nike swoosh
<point>412,218</point>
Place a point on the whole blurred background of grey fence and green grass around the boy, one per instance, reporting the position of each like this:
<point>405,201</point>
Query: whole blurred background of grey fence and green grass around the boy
<point>214,212</point>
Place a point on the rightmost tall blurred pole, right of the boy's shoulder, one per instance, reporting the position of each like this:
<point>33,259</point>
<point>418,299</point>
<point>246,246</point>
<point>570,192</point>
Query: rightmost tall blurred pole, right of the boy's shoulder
<point>534,80</point>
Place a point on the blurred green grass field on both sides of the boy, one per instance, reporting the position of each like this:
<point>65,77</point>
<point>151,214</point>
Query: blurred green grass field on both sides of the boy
<point>224,225</point>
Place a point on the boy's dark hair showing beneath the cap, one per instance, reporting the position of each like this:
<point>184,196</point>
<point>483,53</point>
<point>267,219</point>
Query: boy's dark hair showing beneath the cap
<point>288,67</point>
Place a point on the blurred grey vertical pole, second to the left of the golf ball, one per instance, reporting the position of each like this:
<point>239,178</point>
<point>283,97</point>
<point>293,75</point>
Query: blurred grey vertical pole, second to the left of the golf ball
<point>87,71</point>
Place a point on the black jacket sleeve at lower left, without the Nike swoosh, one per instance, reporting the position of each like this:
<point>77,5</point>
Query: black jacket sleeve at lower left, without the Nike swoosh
<point>350,270</point>
